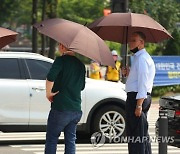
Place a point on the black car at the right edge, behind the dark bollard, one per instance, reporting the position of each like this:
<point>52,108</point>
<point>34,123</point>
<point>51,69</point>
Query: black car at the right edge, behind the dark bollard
<point>172,105</point>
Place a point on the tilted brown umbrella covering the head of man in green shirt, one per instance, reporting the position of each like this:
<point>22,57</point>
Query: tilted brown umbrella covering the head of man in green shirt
<point>77,38</point>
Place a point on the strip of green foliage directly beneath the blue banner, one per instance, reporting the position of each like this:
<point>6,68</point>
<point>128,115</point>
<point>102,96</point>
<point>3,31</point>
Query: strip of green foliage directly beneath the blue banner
<point>165,90</point>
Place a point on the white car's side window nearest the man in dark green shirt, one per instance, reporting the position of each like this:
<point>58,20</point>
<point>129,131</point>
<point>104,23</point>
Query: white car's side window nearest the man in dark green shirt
<point>38,69</point>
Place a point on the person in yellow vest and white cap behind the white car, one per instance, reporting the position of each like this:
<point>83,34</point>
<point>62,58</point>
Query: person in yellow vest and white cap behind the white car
<point>113,74</point>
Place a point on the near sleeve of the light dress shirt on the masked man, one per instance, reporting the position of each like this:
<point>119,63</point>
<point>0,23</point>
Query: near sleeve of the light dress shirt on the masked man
<point>142,70</point>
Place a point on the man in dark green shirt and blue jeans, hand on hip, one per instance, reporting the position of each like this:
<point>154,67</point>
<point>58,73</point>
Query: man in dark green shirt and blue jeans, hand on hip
<point>65,81</point>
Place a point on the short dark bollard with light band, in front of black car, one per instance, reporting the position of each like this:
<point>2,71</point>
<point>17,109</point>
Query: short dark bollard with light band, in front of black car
<point>163,131</point>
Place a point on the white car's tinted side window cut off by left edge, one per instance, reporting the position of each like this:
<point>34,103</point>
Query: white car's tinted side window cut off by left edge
<point>9,68</point>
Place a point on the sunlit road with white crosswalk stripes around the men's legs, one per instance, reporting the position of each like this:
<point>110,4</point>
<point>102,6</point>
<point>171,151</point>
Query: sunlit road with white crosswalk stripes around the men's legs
<point>33,143</point>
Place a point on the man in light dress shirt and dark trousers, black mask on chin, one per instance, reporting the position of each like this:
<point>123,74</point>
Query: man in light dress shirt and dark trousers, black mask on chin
<point>138,87</point>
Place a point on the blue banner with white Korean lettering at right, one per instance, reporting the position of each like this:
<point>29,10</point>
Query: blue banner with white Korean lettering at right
<point>167,70</point>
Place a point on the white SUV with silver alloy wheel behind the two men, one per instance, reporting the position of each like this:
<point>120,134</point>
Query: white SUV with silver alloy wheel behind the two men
<point>24,107</point>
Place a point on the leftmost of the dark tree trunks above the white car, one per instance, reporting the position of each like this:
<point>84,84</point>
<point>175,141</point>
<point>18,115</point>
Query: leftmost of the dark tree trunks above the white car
<point>34,30</point>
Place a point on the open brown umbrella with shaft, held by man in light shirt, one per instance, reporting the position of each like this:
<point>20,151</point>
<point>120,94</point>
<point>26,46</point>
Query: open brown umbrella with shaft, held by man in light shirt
<point>118,27</point>
